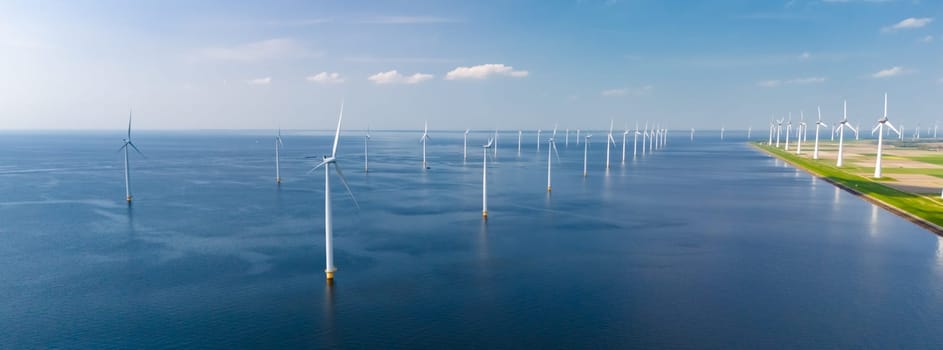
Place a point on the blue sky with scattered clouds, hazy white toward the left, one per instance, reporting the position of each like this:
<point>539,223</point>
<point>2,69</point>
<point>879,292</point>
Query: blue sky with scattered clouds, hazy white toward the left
<point>511,65</point>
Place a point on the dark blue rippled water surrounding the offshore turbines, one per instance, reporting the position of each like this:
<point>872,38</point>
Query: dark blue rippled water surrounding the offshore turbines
<point>700,245</point>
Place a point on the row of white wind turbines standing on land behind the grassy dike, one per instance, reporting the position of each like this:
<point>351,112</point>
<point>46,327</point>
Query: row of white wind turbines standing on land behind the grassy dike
<point>882,128</point>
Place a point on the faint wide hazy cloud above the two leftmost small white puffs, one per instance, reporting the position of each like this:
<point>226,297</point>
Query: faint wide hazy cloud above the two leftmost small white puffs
<point>256,51</point>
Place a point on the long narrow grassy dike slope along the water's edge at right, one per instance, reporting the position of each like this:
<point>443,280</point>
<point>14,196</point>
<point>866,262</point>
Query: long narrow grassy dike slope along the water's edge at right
<point>925,211</point>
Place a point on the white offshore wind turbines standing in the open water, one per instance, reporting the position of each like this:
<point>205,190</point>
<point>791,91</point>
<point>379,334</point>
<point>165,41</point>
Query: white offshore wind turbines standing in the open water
<point>652,139</point>
